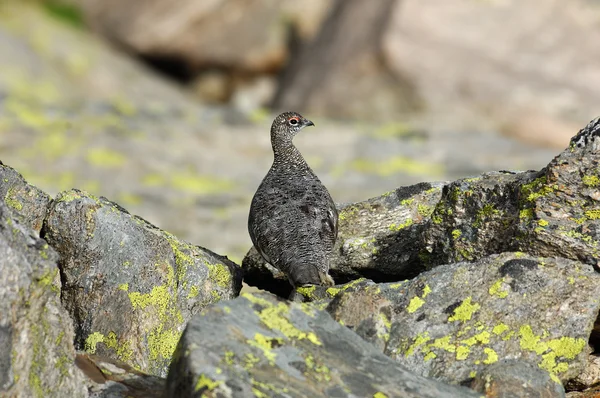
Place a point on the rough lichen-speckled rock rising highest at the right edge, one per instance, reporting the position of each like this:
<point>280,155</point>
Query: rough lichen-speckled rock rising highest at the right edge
<point>560,210</point>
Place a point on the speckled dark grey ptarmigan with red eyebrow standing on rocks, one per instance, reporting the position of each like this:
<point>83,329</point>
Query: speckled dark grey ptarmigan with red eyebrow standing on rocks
<point>293,221</point>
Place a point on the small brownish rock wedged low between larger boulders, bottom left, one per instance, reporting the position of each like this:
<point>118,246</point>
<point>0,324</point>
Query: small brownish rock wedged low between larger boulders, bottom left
<point>109,378</point>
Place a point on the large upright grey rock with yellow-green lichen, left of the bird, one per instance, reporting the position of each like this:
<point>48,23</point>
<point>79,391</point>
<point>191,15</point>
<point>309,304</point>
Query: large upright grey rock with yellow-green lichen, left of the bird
<point>129,286</point>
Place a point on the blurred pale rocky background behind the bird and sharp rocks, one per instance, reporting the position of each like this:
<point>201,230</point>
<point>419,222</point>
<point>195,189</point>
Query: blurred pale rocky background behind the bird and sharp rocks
<point>165,106</point>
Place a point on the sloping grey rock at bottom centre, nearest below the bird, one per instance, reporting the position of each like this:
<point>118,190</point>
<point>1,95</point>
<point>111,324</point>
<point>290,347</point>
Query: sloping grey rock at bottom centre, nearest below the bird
<point>257,345</point>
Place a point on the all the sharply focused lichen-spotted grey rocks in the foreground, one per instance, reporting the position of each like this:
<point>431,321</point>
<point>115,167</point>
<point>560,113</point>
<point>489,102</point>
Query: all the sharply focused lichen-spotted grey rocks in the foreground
<point>487,285</point>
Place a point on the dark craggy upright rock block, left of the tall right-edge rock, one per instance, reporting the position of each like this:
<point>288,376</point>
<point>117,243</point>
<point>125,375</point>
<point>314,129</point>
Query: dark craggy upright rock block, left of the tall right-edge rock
<point>475,217</point>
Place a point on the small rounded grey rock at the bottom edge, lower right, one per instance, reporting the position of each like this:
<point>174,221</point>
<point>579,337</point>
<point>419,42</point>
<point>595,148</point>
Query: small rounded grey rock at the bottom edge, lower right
<point>514,379</point>
